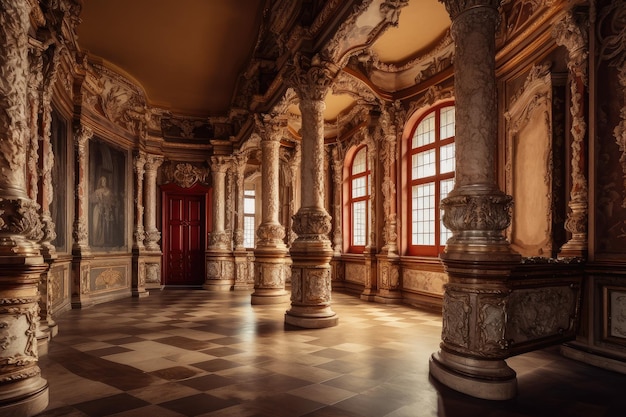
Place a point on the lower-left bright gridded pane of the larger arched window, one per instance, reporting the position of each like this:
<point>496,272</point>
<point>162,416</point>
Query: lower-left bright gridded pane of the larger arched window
<point>423,214</point>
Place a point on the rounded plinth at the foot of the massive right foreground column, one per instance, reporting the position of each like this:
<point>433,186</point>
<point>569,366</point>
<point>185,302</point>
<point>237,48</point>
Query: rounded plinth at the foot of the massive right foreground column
<point>485,379</point>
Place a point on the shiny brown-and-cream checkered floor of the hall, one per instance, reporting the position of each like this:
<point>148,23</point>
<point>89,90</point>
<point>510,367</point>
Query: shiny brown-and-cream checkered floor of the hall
<point>195,353</point>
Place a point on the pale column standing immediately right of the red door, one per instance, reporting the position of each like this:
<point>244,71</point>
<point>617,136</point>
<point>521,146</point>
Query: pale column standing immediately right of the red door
<point>220,273</point>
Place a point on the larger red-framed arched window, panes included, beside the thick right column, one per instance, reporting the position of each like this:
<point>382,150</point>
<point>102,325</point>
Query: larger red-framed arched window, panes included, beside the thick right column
<point>431,177</point>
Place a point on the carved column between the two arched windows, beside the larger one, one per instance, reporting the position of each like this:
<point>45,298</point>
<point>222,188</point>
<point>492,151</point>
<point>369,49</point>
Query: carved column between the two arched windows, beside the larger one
<point>388,257</point>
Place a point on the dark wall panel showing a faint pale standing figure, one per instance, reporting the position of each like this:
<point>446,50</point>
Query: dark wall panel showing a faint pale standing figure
<point>107,197</point>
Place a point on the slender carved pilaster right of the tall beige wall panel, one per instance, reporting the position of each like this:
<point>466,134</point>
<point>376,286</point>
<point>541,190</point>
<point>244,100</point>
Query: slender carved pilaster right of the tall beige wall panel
<point>572,34</point>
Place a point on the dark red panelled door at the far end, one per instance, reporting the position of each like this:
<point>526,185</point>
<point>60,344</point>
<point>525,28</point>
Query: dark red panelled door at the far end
<point>184,240</point>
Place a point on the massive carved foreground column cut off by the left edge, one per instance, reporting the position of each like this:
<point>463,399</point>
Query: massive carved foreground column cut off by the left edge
<point>23,392</point>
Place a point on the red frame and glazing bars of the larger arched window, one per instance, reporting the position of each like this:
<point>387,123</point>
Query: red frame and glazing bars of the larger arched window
<point>437,179</point>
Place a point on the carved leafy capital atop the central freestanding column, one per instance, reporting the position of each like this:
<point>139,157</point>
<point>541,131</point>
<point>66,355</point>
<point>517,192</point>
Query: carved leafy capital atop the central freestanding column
<point>310,77</point>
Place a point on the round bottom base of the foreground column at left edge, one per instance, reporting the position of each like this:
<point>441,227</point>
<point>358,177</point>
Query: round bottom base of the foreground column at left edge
<point>25,406</point>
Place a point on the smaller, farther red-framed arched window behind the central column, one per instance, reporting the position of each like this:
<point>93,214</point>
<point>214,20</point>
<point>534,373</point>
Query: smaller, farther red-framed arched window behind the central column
<point>359,202</point>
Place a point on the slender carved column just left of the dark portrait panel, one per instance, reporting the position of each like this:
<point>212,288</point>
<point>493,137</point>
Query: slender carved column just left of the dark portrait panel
<point>81,252</point>
